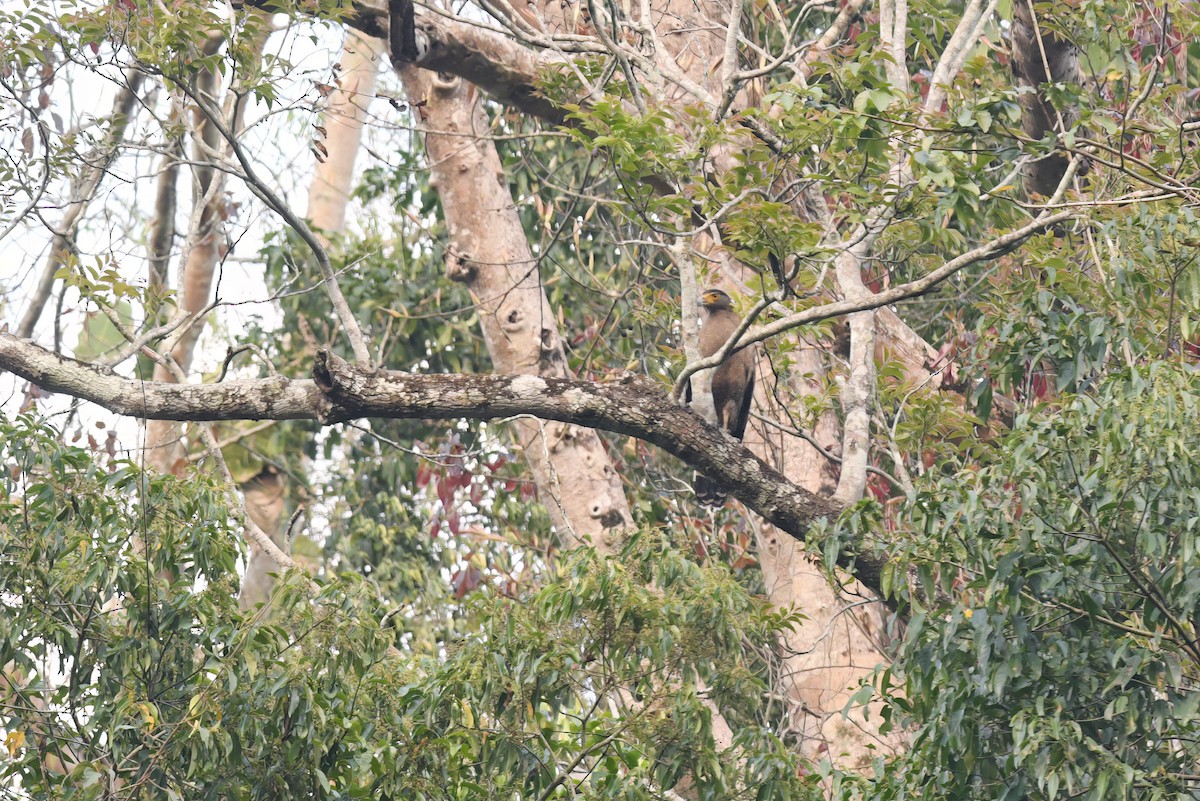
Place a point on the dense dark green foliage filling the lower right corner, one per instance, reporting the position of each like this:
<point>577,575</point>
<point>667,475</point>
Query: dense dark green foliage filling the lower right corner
<point>1052,651</point>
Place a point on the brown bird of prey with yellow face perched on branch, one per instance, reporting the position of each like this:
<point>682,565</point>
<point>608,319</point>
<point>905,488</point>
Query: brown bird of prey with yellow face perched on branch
<point>733,381</point>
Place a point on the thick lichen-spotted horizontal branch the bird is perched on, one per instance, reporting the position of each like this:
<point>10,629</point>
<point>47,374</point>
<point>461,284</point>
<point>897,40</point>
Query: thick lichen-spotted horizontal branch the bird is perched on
<point>343,392</point>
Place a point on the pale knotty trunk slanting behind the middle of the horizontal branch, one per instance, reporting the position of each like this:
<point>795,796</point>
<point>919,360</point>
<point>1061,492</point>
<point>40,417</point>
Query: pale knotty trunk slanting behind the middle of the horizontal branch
<point>489,251</point>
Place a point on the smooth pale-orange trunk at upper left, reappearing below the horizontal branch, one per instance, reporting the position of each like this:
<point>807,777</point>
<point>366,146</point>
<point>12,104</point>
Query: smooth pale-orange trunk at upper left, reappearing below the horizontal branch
<point>328,198</point>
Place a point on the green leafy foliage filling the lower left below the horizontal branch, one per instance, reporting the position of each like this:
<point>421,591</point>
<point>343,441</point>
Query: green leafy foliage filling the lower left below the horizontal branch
<point>129,663</point>
